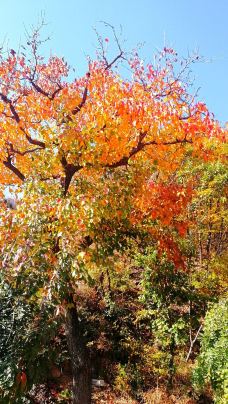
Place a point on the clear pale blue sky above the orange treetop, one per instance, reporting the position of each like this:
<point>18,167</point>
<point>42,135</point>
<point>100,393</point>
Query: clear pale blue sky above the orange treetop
<point>186,25</point>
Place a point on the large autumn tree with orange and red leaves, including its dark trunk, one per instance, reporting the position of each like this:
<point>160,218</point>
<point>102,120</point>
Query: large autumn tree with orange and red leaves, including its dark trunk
<point>95,162</point>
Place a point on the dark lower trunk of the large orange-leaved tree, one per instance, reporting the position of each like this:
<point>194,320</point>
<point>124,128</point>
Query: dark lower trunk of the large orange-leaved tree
<point>80,361</point>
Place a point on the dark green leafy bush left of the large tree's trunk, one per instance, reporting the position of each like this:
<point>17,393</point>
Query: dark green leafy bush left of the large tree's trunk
<point>26,356</point>
